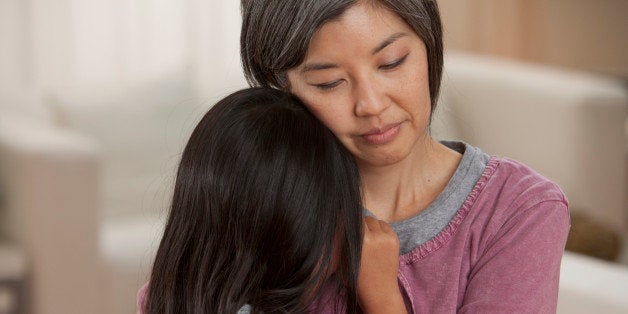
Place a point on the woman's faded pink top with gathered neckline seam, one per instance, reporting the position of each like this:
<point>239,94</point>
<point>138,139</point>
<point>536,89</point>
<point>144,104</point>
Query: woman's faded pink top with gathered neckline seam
<point>501,252</point>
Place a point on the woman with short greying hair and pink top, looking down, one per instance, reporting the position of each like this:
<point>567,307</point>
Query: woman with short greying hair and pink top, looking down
<point>478,233</point>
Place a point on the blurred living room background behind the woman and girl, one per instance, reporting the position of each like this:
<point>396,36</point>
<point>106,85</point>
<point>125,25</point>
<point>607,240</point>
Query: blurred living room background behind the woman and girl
<point>97,99</point>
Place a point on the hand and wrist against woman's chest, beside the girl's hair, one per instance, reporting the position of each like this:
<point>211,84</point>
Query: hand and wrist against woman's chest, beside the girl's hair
<point>378,290</point>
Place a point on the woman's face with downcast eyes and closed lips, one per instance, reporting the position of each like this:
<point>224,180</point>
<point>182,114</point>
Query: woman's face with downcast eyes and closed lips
<point>365,76</point>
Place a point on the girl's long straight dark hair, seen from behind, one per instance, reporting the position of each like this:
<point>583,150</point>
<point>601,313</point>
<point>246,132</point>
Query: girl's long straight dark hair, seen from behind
<point>263,197</point>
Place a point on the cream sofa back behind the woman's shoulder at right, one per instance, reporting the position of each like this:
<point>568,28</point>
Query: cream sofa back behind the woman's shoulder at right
<point>569,126</point>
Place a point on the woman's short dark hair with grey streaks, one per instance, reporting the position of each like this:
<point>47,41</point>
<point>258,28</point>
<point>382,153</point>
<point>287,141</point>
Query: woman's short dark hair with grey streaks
<point>275,35</point>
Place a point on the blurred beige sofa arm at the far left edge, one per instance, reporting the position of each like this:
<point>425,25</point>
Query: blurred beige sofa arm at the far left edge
<point>49,200</point>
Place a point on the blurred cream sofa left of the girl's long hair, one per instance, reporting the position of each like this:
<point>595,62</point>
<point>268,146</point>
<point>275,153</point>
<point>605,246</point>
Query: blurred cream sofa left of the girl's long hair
<point>85,175</point>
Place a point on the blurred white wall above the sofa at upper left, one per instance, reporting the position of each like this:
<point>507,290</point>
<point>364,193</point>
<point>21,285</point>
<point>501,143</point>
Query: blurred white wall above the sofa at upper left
<point>50,45</point>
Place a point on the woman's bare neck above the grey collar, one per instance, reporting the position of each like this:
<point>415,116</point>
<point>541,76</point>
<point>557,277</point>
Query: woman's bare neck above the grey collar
<point>402,190</point>
